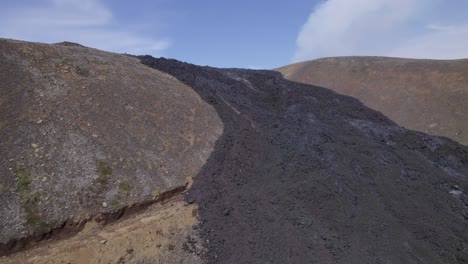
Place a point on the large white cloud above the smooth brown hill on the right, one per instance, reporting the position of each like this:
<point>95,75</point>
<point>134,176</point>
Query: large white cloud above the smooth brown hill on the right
<point>399,28</point>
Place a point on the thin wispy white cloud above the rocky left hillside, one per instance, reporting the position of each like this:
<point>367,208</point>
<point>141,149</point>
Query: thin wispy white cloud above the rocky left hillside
<point>88,22</point>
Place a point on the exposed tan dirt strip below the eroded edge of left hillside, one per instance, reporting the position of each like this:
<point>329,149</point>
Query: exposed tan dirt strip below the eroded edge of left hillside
<point>164,233</point>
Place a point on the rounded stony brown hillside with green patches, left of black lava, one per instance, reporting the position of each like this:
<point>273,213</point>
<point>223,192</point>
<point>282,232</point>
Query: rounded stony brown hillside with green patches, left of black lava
<point>84,131</point>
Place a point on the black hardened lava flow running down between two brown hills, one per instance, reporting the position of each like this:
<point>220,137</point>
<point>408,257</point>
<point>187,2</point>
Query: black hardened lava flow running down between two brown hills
<point>304,175</point>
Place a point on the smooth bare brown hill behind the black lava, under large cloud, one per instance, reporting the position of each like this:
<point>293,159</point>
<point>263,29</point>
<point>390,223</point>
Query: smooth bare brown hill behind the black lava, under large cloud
<point>425,95</point>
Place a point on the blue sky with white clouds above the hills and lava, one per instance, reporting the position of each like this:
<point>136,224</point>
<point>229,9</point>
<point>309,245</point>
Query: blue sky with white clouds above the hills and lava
<point>246,34</point>
